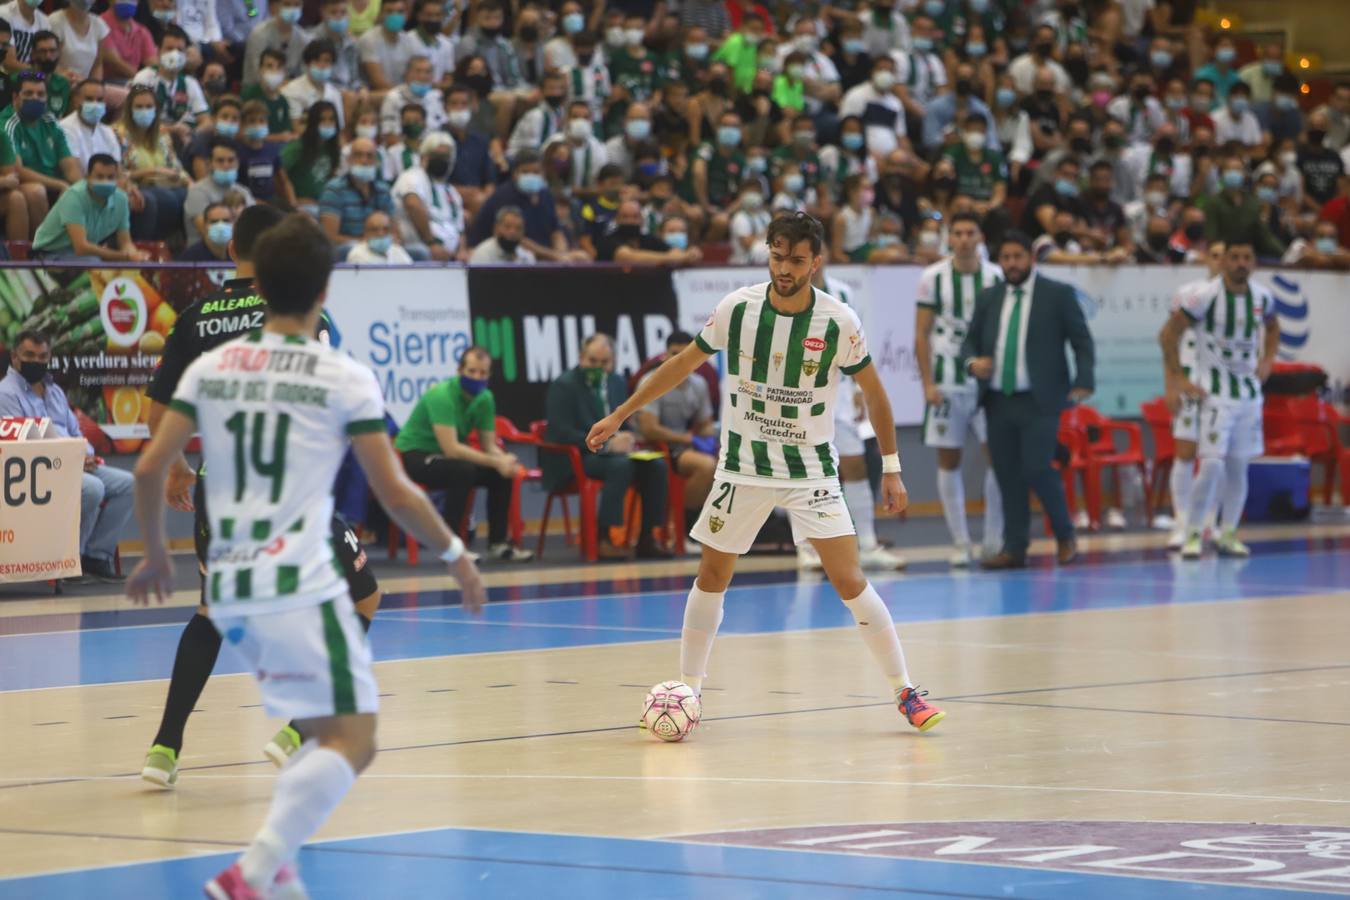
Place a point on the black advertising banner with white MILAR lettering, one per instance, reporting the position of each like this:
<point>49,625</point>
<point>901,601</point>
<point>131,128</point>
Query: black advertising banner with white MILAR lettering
<point>533,320</point>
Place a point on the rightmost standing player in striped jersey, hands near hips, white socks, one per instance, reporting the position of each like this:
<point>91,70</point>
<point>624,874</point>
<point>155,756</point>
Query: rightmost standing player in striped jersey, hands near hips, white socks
<point>1237,338</point>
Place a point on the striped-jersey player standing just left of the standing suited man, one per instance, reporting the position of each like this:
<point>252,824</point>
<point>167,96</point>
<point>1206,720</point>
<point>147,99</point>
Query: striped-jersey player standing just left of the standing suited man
<point>952,411</point>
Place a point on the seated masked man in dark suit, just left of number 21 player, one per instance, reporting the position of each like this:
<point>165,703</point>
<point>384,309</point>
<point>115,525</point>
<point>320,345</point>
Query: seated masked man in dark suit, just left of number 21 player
<point>577,400</point>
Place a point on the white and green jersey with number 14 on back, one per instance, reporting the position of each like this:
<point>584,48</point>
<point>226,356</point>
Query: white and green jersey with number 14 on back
<point>275,415</point>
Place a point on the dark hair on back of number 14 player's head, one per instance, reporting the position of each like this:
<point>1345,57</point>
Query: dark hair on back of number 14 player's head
<point>292,262</point>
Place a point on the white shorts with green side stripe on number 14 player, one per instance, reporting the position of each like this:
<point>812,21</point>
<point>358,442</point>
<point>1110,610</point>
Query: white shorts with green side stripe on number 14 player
<point>311,662</point>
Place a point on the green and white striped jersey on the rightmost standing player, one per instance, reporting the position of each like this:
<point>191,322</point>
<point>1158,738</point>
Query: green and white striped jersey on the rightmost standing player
<point>1229,335</point>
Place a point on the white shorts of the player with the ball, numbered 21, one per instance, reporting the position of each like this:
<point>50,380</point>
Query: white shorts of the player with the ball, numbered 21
<point>734,515</point>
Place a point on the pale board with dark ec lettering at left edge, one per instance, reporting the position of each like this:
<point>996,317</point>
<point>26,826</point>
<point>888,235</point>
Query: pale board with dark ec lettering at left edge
<point>40,486</point>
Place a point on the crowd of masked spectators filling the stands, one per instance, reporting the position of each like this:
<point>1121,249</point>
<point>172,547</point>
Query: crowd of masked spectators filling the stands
<point>650,130</point>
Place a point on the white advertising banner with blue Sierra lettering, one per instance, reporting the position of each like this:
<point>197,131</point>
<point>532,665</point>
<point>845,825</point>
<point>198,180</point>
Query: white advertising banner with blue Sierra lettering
<point>411,326</point>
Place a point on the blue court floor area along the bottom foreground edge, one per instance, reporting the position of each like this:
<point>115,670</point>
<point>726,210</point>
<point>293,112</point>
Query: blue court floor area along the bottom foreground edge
<point>508,866</point>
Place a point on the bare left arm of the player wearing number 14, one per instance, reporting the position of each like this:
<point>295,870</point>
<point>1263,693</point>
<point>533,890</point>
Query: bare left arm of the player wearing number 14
<point>155,573</point>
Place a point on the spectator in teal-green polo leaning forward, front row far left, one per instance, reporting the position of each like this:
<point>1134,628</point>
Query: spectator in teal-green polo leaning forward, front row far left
<point>87,217</point>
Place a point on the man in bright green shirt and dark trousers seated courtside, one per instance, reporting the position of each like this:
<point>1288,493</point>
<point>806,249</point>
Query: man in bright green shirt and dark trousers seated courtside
<point>438,455</point>
